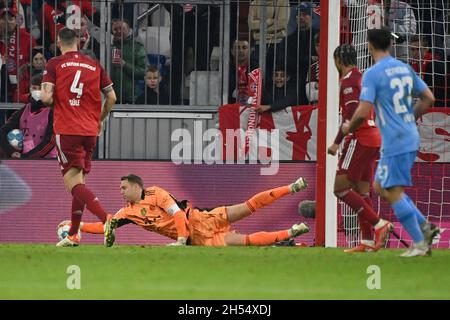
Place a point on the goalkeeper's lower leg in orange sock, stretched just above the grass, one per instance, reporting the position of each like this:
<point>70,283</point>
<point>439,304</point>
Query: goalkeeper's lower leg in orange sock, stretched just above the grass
<point>264,238</point>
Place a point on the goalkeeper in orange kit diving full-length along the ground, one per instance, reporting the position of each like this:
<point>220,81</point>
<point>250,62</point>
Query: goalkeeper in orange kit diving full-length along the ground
<point>156,210</point>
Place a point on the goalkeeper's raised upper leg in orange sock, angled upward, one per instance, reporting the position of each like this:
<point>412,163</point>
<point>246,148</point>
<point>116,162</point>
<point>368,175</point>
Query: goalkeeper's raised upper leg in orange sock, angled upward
<point>263,199</point>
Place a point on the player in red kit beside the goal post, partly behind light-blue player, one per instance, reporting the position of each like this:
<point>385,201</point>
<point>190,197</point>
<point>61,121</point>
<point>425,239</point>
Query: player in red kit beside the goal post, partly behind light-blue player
<point>360,152</point>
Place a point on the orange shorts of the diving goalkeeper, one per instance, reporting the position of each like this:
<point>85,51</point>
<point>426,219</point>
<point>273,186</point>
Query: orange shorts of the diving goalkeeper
<point>208,228</point>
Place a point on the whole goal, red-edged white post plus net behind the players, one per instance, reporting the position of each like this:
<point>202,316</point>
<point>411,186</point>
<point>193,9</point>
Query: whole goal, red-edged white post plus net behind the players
<point>336,223</point>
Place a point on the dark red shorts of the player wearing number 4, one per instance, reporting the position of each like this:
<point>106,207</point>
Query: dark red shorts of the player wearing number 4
<point>75,152</point>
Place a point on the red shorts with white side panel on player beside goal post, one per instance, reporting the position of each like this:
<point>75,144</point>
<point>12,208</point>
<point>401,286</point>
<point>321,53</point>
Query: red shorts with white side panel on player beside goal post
<point>357,161</point>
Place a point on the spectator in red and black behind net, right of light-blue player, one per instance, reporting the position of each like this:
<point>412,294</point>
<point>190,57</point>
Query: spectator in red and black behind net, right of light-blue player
<point>431,69</point>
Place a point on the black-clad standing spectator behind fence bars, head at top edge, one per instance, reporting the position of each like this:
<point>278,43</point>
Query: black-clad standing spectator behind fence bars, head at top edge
<point>191,43</point>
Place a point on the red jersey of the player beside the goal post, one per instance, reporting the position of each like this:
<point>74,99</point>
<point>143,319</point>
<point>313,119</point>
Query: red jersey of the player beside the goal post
<point>367,134</point>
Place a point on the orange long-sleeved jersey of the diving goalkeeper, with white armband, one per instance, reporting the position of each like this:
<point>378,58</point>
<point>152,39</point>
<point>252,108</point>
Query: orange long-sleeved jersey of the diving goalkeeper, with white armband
<point>154,213</point>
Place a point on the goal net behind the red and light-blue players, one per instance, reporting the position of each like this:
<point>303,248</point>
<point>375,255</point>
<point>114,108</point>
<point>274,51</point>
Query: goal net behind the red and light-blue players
<point>422,30</point>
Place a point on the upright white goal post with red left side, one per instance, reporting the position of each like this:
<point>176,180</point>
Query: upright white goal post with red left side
<point>328,121</point>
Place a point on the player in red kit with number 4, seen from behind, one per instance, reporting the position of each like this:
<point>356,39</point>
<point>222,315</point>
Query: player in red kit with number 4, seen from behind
<point>72,83</point>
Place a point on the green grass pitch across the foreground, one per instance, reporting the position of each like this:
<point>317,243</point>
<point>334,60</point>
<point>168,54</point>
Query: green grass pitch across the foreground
<point>138,272</point>
